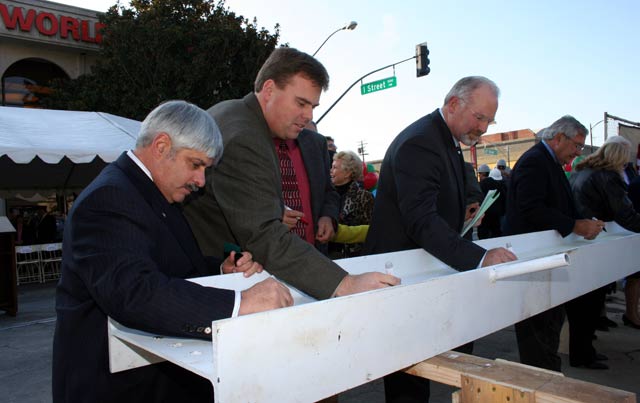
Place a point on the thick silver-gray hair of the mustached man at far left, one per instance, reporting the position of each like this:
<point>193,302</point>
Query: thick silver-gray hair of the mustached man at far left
<point>187,125</point>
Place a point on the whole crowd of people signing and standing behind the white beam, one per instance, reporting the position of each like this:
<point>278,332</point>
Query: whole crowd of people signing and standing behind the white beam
<point>254,173</point>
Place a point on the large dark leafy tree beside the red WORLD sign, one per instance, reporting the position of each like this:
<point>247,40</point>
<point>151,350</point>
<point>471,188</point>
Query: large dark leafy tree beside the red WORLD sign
<point>156,50</point>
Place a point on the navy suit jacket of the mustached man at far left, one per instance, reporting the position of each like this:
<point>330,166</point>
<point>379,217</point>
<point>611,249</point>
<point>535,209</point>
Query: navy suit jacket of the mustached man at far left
<point>126,251</point>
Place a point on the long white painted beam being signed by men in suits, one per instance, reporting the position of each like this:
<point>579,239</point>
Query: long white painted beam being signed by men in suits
<point>317,349</point>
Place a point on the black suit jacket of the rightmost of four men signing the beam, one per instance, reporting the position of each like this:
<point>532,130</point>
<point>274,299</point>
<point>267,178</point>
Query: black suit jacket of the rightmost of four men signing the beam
<point>539,196</point>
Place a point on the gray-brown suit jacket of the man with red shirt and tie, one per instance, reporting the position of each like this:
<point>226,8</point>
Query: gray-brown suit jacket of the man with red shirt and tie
<point>243,200</point>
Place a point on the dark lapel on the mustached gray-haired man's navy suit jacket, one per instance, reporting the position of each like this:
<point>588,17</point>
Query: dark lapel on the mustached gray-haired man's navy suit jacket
<point>169,214</point>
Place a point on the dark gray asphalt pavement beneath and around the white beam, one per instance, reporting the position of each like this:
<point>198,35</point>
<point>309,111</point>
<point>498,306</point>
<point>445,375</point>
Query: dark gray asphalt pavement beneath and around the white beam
<point>26,341</point>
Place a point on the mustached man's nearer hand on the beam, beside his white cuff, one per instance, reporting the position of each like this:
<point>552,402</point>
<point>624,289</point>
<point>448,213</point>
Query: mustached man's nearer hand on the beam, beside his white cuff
<point>264,296</point>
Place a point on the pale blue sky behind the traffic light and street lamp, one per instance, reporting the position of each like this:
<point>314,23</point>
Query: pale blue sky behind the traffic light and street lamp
<point>549,58</point>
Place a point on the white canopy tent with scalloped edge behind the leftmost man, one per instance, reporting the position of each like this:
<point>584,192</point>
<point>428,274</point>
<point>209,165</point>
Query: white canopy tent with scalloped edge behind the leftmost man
<point>48,151</point>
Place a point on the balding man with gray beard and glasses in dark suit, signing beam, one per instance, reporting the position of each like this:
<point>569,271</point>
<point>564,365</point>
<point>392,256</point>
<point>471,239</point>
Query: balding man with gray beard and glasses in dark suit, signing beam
<point>420,201</point>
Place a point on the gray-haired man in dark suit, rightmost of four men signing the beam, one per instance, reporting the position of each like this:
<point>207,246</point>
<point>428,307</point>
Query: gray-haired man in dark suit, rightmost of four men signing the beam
<point>540,199</point>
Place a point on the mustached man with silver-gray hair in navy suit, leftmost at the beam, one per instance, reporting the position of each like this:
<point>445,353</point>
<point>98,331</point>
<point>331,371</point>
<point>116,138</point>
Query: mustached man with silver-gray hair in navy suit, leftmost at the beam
<point>127,251</point>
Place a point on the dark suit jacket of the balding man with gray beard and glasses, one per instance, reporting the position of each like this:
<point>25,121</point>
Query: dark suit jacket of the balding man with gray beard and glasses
<point>421,201</point>
